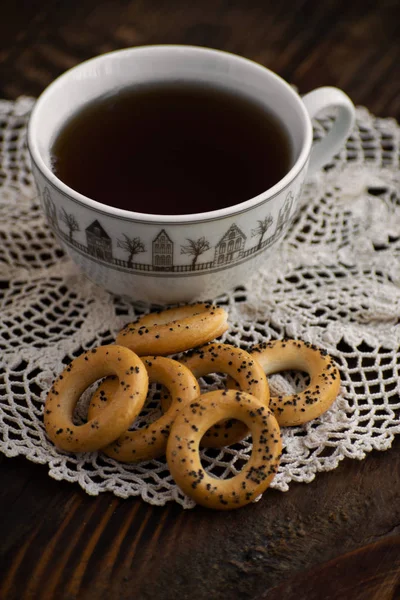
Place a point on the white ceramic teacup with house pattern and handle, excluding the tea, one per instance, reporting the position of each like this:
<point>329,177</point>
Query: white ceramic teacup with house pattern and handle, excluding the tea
<point>167,258</point>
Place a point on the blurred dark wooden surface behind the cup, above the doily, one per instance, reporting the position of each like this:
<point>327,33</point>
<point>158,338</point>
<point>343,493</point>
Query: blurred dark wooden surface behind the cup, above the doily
<point>354,45</point>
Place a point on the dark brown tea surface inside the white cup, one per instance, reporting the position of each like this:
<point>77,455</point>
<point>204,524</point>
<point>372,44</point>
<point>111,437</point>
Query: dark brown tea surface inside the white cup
<point>172,148</point>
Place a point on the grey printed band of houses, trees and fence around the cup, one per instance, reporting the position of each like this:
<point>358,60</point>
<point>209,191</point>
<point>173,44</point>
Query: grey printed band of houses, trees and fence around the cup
<point>230,249</point>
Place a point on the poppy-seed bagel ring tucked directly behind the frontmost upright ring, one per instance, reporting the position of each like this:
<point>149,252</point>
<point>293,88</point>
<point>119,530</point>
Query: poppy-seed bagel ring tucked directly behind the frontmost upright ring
<point>223,358</point>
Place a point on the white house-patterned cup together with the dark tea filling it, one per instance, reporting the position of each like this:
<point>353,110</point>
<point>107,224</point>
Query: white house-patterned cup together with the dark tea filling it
<point>169,173</point>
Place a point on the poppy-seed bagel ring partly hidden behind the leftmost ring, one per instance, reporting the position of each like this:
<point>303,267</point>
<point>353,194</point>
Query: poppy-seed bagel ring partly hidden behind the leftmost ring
<point>149,441</point>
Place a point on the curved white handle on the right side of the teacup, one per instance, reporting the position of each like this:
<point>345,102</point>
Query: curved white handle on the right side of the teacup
<point>317,100</point>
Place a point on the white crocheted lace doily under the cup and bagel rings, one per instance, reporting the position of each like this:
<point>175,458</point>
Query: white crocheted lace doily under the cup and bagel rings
<point>335,282</point>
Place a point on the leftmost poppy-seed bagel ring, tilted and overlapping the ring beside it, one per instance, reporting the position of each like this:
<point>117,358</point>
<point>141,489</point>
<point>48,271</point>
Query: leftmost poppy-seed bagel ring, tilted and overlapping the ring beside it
<point>80,374</point>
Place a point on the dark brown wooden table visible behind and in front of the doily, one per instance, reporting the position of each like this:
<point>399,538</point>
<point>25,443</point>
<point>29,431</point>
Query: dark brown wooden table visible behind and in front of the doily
<point>337,537</point>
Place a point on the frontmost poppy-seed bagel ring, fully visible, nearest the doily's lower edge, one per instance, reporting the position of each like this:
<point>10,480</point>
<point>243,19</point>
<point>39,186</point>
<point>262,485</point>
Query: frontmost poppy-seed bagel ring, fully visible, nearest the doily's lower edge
<point>183,449</point>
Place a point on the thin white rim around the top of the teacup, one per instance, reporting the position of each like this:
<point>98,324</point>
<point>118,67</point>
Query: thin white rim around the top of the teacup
<point>229,211</point>
